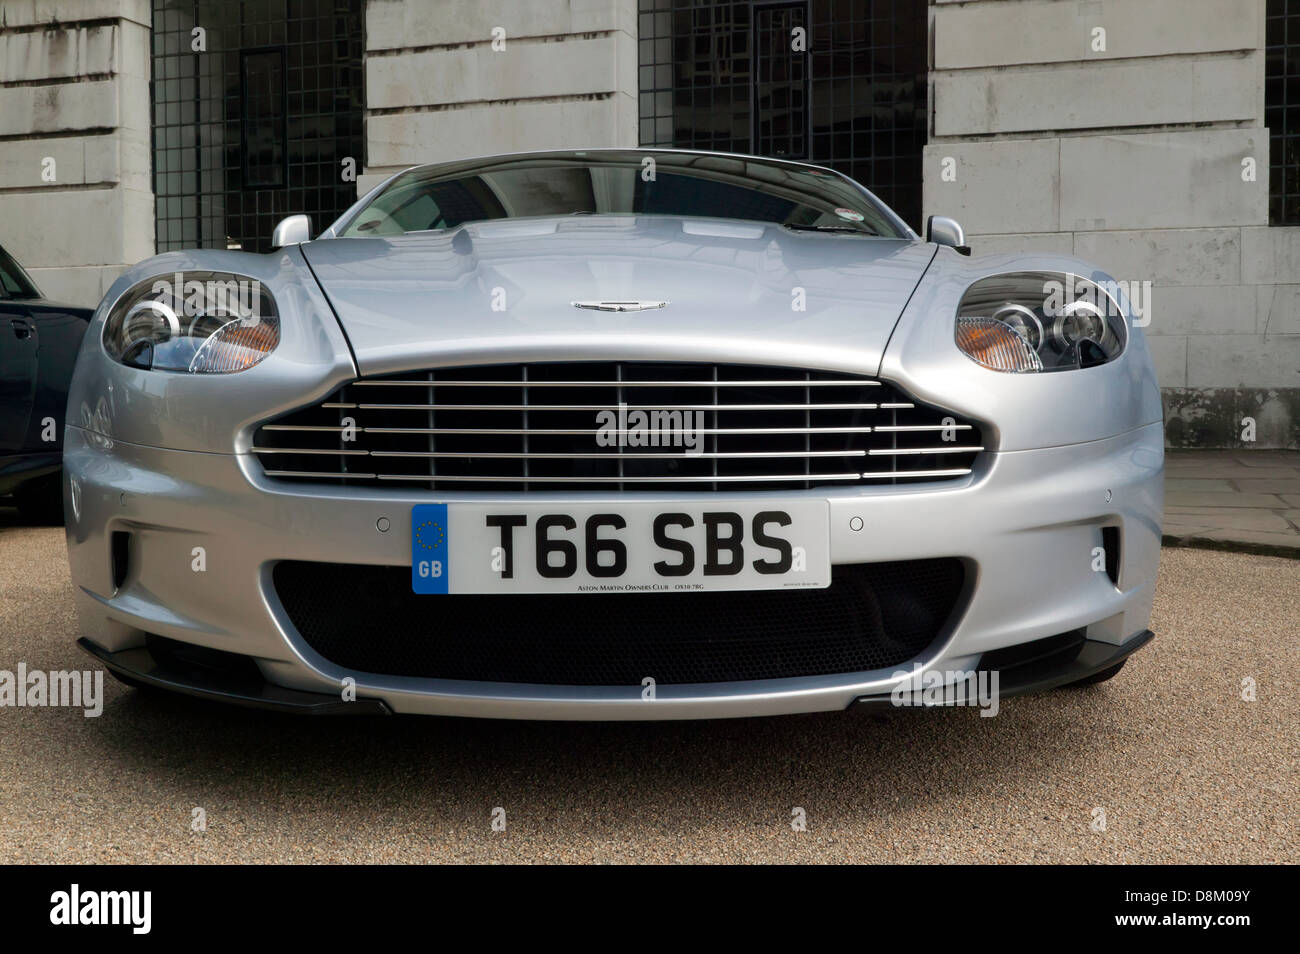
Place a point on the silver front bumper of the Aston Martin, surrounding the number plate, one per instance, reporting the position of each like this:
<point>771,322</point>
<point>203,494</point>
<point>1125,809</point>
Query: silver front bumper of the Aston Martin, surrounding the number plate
<point>206,531</point>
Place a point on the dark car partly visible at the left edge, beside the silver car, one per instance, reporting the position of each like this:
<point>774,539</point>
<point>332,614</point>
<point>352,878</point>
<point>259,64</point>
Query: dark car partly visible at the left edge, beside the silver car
<point>38,348</point>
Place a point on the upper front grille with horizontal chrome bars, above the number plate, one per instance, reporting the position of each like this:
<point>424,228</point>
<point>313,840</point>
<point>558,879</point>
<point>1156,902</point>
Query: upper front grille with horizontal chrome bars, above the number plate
<point>557,427</point>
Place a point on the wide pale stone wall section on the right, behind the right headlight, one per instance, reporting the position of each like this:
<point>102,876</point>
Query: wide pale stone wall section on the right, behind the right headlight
<point>1132,157</point>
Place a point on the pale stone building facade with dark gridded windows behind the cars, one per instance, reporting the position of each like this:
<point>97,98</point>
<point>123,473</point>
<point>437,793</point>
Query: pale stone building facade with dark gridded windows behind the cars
<point>1158,138</point>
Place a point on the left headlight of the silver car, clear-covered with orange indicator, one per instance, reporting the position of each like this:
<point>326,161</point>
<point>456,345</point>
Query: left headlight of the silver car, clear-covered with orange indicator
<point>203,323</point>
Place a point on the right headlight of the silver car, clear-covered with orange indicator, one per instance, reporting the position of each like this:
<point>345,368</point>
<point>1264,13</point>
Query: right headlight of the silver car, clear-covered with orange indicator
<point>1032,322</point>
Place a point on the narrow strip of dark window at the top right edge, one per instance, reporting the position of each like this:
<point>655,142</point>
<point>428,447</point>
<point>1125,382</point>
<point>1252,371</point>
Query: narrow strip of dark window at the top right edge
<point>1282,110</point>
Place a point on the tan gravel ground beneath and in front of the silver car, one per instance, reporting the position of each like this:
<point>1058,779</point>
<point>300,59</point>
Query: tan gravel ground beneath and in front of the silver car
<point>1185,770</point>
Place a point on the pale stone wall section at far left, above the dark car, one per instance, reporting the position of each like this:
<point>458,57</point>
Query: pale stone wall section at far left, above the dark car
<point>76,200</point>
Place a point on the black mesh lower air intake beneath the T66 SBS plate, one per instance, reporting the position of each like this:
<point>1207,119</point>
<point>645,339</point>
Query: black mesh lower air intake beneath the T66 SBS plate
<point>873,617</point>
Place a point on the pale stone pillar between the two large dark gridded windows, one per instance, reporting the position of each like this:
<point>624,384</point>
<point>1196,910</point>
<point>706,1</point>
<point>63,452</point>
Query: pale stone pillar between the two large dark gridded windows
<point>564,73</point>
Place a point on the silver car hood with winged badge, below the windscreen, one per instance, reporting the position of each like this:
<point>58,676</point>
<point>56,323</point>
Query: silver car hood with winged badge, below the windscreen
<point>505,290</point>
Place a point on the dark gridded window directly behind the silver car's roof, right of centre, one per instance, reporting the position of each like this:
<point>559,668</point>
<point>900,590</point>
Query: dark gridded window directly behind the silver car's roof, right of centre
<point>722,76</point>
